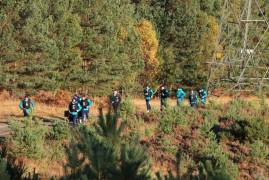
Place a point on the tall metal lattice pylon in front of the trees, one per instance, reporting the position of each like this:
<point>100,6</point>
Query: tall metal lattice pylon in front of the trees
<point>240,61</point>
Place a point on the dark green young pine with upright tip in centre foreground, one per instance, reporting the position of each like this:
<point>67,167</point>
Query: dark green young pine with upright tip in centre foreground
<point>109,157</point>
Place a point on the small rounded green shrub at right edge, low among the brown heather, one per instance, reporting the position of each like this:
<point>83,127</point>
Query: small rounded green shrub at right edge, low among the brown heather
<point>259,150</point>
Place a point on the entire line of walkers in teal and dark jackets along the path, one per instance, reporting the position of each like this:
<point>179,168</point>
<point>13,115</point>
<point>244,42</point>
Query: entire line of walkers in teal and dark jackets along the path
<point>79,106</point>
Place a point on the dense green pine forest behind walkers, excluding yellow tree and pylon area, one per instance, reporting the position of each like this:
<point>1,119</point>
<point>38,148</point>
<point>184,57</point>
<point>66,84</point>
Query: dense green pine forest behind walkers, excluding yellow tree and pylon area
<point>95,45</point>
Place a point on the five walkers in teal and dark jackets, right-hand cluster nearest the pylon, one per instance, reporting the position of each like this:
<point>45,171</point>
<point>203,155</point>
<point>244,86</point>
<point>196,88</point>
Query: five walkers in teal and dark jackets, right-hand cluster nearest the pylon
<point>180,96</point>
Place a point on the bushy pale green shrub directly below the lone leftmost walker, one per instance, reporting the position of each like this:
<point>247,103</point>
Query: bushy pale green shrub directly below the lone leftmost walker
<point>28,138</point>
